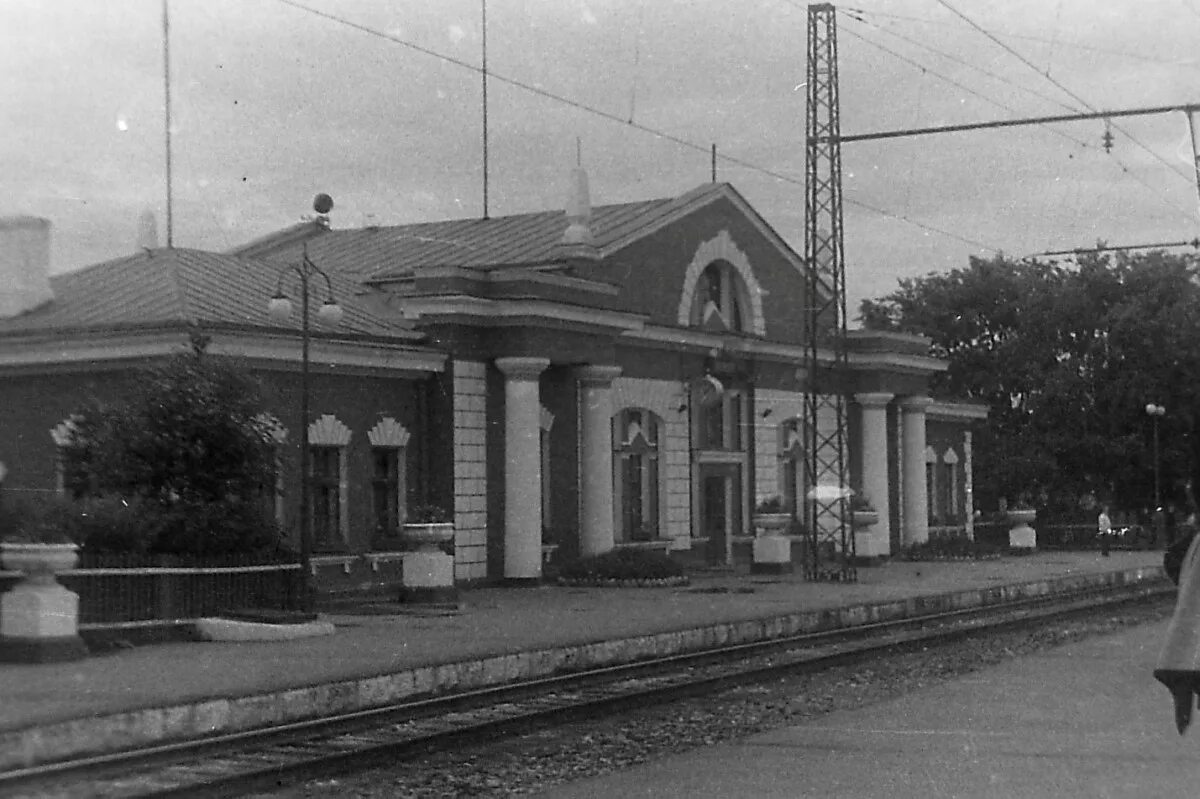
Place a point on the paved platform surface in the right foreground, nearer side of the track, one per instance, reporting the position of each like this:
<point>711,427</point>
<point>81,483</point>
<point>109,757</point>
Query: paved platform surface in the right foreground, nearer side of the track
<point>1083,722</point>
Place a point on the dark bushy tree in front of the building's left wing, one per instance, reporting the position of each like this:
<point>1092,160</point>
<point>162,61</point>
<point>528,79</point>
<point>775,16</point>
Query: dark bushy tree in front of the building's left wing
<point>190,449</point>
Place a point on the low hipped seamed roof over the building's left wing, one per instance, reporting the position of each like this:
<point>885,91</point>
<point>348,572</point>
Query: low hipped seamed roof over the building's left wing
<point>183,286</point>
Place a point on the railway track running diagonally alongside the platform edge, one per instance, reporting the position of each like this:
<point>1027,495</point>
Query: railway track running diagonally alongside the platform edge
<point>267,759</point>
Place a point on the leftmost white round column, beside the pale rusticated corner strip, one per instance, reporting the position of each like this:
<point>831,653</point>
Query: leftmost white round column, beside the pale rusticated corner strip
<point>523,467</point>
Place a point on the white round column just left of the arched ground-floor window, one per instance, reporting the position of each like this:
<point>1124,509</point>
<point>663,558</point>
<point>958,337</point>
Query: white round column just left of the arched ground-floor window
<point>597,533</point>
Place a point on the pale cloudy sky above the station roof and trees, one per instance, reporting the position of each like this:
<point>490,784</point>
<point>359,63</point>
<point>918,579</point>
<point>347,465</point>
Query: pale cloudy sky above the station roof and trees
<point>274,101</point>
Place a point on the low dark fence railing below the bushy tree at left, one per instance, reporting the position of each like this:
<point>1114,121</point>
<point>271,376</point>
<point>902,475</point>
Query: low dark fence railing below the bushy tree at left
<point>139,591</point>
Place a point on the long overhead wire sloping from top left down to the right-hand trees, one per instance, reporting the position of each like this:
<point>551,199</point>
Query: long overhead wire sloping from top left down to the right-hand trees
<point>616,118</point>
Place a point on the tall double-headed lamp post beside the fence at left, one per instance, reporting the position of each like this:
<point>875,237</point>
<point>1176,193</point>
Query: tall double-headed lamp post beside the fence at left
<point>331,314</point>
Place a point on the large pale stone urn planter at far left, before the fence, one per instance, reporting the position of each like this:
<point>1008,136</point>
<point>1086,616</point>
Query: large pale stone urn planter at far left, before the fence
<point>39,617</point>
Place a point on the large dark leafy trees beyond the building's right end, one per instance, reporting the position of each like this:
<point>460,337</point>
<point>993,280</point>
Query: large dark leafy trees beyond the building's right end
<point>1066,357</point>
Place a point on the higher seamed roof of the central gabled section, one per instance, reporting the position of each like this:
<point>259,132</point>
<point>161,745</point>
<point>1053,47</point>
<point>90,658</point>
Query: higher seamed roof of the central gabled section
<point>521,241</point>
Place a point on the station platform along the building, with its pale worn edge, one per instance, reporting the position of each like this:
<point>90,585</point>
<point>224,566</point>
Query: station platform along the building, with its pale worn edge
<point>387,653</point>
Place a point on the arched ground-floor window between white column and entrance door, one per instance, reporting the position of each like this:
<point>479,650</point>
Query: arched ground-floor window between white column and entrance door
<point>637,464</point>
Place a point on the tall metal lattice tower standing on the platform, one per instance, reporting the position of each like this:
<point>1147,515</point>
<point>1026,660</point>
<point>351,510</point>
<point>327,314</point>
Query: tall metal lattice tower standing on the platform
<point>831,536</point>
